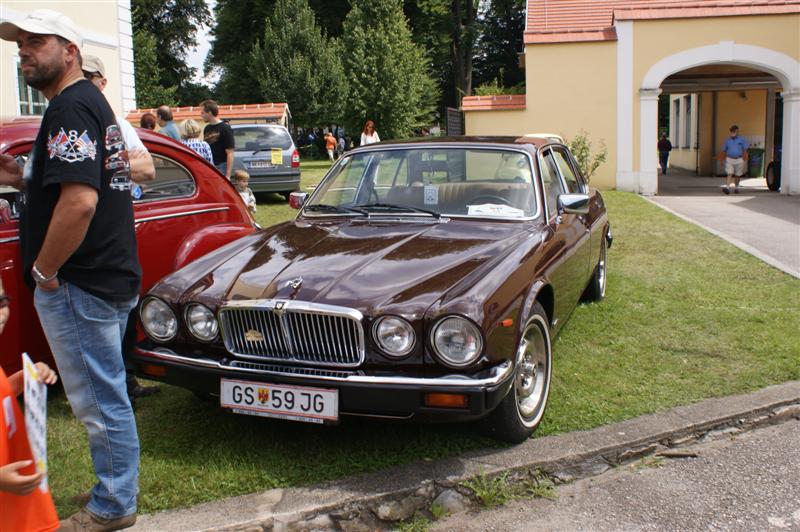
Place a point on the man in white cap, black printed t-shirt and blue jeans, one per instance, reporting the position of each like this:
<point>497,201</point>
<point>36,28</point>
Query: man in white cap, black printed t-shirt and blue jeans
<point>79,253</point>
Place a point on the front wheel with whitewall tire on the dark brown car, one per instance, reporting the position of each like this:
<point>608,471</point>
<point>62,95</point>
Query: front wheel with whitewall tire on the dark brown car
<point>518,415</point>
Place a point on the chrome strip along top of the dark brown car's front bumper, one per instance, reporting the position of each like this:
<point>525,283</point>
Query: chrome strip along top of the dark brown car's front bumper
<point>498,374</point>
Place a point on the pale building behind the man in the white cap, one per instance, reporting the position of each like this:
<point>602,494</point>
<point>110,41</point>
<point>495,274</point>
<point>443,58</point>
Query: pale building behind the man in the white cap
<point>107,33</point>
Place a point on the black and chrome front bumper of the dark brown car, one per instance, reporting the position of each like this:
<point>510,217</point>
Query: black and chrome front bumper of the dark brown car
<point>360,394</point>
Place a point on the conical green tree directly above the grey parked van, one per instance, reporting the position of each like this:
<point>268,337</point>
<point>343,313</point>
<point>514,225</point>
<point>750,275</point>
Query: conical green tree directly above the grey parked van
<point>295,63</point>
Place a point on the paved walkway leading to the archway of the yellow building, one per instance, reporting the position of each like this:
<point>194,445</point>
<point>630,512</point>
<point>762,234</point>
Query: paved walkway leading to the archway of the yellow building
<point>759,221</point>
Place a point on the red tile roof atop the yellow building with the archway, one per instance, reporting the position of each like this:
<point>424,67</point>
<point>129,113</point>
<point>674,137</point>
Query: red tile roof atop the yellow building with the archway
<point>552,21</point>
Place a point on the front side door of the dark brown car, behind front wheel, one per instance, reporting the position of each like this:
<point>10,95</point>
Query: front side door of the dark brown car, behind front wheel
<point>564,241</point>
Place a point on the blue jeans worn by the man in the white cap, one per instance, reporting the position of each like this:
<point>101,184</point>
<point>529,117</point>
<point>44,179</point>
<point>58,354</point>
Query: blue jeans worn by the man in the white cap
<point>85,335</point>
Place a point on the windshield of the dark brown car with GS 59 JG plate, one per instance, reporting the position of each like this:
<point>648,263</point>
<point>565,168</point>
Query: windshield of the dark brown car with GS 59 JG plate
<point>429,181</point>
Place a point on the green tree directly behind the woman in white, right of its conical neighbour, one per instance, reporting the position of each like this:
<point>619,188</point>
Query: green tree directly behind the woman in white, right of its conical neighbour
<point>387,73</point>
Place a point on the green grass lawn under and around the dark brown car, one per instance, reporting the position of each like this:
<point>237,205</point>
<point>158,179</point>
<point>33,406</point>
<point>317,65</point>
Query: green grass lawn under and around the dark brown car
<point>687,317</point>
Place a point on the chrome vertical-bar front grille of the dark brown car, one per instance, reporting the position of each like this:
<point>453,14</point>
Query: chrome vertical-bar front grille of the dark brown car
<point>293,331</point>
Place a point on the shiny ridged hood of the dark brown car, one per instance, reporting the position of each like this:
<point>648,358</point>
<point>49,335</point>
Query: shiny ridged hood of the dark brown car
<point>368,265</point>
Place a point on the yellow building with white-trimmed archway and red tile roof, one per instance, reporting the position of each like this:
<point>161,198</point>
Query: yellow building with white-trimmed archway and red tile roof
<point>601,65</point>
